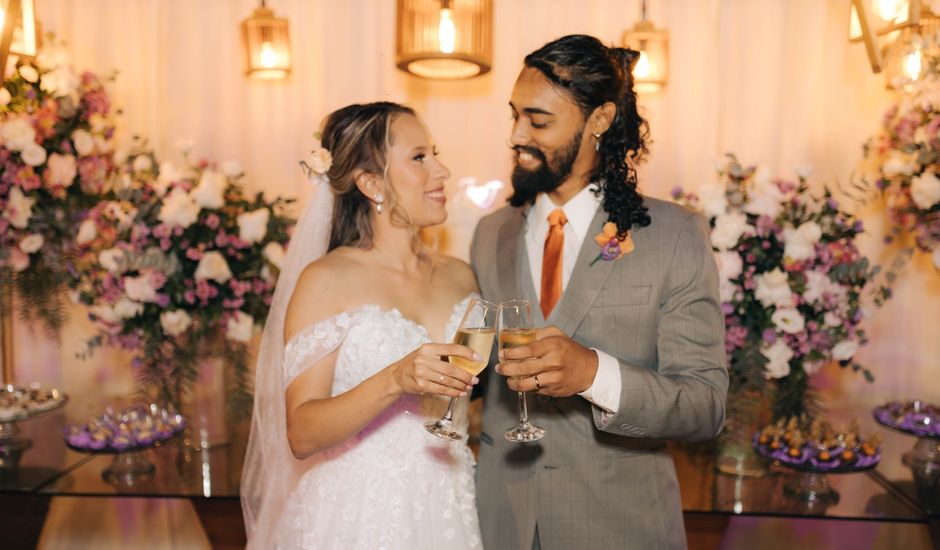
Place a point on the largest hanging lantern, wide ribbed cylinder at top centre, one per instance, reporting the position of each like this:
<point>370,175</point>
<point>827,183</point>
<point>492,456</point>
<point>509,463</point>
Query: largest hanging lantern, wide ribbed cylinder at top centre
<point>444,39</point>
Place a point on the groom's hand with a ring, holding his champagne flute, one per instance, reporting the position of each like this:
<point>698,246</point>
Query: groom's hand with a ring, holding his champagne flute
<point>553,365</point>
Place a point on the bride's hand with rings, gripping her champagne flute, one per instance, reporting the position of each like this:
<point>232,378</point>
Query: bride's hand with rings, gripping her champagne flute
<point>426,370</point>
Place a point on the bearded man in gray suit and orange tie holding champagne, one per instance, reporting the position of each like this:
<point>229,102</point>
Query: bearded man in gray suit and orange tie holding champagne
<point>631,352</point>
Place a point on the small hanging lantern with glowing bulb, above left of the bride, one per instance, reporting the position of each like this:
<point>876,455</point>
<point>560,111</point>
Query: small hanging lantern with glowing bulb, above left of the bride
<point>267,44</point>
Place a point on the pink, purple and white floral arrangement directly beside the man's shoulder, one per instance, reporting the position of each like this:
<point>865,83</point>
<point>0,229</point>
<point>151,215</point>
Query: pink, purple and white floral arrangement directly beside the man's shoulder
<point>792,281</point>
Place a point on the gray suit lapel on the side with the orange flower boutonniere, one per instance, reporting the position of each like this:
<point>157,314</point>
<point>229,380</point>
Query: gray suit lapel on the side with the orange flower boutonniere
<point>586,281</point>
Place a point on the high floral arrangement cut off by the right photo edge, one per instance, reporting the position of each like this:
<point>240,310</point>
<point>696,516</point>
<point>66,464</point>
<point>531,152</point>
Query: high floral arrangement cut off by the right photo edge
<point>903,162</point>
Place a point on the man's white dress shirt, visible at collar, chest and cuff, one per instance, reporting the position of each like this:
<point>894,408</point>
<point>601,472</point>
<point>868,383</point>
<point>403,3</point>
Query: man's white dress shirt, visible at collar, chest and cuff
<point>580,210</point>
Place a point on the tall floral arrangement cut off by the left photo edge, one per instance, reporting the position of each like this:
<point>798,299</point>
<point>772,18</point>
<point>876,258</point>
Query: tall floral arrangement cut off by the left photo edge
<point>56,131</point>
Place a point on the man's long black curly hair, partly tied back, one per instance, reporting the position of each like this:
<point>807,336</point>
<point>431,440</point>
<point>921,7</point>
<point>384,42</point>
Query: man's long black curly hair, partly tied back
<point>592,74</point>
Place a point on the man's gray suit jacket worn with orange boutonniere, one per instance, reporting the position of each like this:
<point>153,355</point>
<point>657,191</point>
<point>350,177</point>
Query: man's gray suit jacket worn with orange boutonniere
<point>595,480</point>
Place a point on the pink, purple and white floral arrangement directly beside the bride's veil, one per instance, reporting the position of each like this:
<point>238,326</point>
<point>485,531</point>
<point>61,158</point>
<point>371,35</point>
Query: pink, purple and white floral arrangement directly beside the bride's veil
<point>180,264</point>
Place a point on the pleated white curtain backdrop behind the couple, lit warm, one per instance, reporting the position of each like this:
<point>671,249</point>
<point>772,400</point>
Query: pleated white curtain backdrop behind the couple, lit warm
<point>775,81</point>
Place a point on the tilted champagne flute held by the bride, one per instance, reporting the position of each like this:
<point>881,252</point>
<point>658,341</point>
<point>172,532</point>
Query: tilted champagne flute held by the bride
<point>477,330</point>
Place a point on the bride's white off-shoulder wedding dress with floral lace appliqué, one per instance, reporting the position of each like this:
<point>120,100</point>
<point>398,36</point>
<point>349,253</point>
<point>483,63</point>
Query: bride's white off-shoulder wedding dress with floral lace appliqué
<point>393,485</point>
